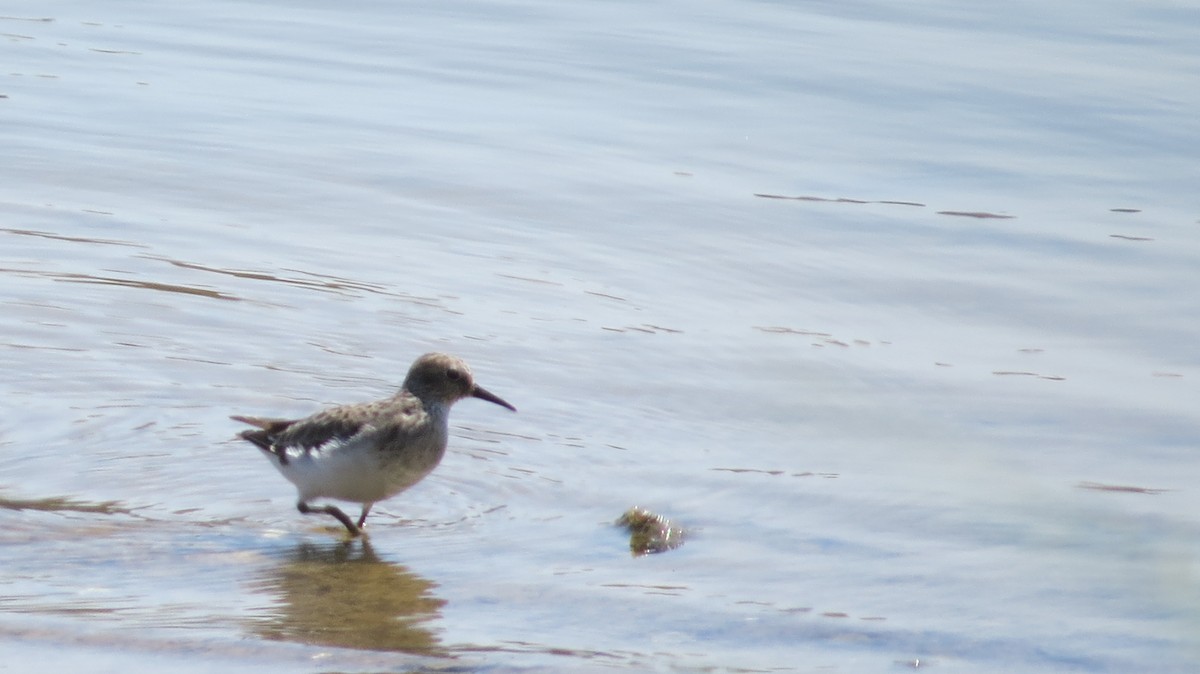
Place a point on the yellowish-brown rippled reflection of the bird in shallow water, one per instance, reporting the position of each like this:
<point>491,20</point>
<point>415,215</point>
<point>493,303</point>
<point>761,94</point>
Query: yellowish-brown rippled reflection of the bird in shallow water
<point>343,595</point>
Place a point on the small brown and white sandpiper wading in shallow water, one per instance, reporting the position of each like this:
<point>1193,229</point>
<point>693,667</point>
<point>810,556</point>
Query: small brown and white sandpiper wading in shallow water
<point>370,452</point>
